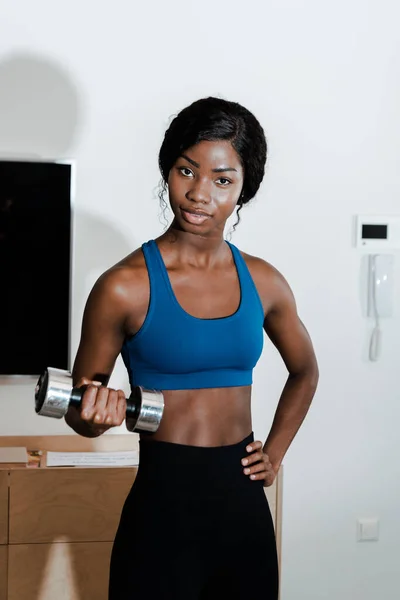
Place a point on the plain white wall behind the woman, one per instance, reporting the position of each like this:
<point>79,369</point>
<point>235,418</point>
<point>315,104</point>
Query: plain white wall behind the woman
<point>99,82</point>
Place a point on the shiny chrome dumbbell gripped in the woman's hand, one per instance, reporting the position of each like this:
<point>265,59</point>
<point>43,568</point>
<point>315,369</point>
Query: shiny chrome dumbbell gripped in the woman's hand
<point>54,394</point>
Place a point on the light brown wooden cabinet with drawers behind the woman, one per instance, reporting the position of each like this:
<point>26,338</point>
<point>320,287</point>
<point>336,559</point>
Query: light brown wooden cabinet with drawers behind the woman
<point>57,525</point>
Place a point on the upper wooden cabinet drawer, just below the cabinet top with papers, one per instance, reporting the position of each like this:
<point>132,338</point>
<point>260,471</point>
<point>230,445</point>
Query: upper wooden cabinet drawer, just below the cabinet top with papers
<point>74,505</point>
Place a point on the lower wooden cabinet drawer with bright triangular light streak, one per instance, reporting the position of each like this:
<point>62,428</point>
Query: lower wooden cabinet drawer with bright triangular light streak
<point>59,571</point>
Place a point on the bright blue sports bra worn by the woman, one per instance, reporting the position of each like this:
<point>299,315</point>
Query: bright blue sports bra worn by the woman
<point>174,350</point>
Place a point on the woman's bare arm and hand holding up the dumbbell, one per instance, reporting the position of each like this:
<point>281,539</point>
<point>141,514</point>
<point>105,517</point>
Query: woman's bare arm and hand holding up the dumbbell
<point>102,336</point>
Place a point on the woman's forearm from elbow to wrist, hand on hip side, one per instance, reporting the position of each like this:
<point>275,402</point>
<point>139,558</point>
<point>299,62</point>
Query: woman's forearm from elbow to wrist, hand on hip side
<point>292,408</point>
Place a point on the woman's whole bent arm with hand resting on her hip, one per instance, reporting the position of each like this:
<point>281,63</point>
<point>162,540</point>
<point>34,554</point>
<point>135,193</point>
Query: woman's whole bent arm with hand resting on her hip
<point>286,331</point>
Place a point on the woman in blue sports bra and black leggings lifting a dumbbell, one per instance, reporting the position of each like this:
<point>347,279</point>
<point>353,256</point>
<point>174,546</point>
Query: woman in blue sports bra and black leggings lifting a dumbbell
<point>187,312</point>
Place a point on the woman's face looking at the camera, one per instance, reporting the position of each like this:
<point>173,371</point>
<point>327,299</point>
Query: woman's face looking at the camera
<point>204,186</point>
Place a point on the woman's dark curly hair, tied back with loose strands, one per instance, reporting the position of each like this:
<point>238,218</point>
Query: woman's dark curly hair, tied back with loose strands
<point>214,119</point>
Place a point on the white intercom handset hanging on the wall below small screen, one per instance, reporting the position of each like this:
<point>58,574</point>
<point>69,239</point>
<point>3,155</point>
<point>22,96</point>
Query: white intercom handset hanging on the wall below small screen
<point>379,296</point>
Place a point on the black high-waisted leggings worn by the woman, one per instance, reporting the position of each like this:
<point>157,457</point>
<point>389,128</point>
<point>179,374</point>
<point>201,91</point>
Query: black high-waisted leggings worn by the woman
<point>194,527</point>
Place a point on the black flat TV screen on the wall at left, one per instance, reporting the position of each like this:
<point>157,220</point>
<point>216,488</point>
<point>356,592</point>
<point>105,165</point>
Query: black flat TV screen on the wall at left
<point>35,260</point>
